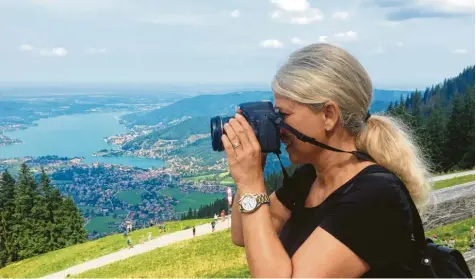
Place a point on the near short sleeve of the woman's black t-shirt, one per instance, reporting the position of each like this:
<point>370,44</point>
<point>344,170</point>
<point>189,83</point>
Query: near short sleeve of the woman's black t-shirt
<point>373,219</point>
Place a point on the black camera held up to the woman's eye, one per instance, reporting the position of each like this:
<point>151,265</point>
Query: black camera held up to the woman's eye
<point>258,115</point>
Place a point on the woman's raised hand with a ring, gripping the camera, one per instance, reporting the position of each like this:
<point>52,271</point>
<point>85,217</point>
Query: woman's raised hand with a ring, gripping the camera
<point>244,155</point>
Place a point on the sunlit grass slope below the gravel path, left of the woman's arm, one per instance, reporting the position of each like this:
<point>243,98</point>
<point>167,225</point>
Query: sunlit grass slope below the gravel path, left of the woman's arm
<point>211,256</point>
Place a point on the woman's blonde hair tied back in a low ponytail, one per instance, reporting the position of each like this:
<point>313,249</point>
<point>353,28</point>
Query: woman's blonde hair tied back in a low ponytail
<point>323,72</point>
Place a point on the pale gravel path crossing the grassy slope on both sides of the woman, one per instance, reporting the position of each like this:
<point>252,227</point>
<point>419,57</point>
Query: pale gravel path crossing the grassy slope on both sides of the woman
<point>169,239</point>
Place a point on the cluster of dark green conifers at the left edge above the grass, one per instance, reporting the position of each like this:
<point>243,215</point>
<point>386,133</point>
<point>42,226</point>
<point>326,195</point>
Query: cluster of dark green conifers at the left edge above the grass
<point>34,218</point>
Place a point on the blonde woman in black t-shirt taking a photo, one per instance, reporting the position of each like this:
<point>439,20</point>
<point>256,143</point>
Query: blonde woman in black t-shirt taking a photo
<point>335,218</point>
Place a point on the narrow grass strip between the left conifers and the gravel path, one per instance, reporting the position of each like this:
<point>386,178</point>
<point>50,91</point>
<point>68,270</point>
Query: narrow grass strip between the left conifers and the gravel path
<point>64,258</point>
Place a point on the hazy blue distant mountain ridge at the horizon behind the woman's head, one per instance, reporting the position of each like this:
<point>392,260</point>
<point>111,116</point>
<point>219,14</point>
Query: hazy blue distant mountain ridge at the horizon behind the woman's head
<point>225,104</point>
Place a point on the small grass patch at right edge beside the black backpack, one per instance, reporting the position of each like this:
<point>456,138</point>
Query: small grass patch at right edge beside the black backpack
<point>460,231</point>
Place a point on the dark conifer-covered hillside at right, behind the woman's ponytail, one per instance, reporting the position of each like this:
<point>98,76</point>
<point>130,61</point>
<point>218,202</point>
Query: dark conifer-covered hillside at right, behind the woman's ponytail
<point>442,118</point>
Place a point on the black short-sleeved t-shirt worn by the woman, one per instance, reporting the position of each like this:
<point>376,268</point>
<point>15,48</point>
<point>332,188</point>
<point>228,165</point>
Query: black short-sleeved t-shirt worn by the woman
<point>369,214</point>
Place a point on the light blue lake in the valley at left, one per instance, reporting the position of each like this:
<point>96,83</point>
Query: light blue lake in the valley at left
<point>78,135</point>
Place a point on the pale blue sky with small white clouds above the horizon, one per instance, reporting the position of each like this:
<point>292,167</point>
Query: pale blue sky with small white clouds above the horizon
<point>403,44</point>
